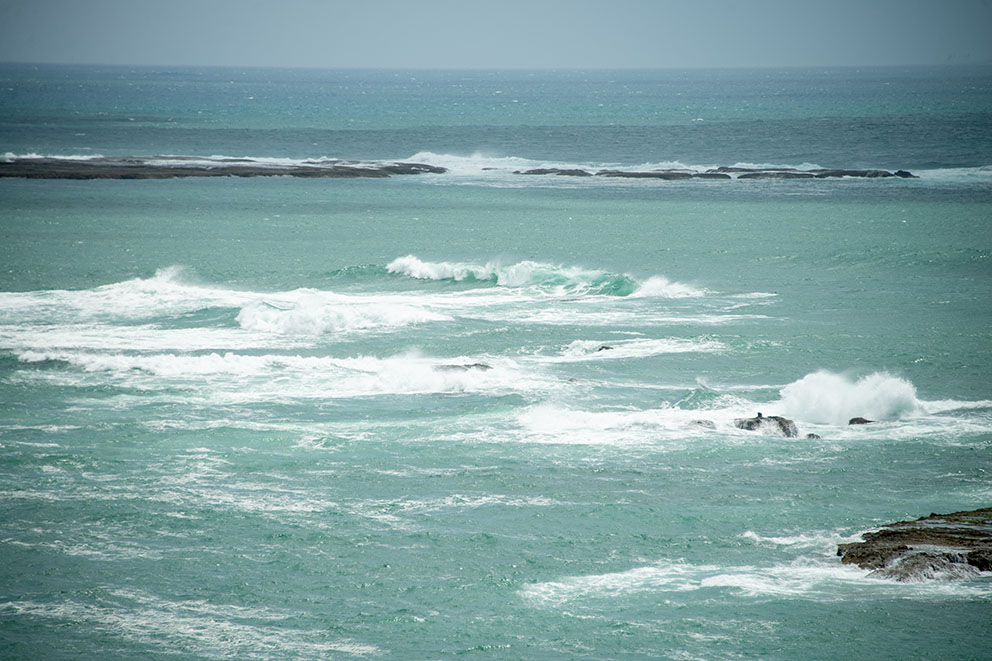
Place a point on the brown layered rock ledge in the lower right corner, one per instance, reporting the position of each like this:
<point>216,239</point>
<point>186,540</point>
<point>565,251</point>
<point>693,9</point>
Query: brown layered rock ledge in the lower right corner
<point>939,546</point>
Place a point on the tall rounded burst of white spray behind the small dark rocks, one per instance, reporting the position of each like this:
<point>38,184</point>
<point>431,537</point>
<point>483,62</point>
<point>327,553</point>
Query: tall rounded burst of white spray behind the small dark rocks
<point>829,398</point>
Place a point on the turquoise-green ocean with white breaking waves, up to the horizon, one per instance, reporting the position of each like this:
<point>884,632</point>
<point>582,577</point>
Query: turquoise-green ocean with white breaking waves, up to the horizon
<point>482,414</point>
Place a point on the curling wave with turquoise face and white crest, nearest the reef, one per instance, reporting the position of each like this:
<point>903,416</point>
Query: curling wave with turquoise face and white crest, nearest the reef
<point>557,278</point>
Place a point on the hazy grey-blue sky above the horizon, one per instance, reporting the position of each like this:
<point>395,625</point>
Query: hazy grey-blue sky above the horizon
<point>497,33</point>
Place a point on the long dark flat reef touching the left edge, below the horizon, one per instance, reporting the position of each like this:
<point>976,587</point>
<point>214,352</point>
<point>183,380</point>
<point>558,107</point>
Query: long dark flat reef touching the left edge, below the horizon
<point>170,167</point>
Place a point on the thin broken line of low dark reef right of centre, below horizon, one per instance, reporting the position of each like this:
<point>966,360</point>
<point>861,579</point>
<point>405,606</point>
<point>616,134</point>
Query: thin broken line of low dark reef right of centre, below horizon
<point>725,173</point>
